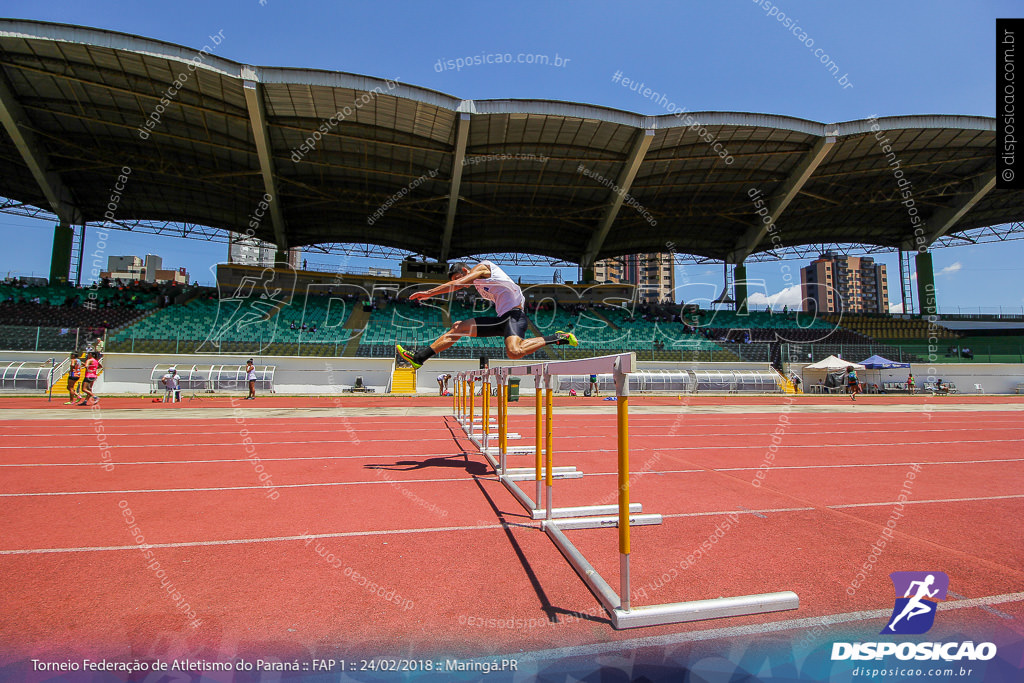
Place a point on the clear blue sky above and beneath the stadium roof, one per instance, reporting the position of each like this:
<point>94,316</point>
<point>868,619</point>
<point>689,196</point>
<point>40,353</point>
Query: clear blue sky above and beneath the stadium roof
<point>903,58</point>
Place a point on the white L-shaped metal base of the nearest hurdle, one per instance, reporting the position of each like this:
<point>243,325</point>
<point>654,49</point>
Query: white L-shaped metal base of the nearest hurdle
<point>671,613</point>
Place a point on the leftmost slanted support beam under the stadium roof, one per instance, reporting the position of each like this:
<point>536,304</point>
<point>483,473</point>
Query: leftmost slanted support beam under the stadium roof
<point>19,126</point>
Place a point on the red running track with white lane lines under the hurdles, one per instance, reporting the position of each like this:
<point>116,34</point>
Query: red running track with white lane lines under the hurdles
<point>388,535</point>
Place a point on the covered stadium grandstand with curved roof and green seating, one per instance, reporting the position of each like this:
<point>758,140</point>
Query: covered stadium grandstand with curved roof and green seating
<point>404,173</point>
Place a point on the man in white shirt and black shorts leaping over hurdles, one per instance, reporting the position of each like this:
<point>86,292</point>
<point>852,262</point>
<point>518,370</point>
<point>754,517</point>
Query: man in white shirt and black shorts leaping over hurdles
<point>510,320</point>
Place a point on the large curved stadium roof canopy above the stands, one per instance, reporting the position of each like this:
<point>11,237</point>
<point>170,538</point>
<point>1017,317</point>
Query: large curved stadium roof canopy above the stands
<point>402,166</point>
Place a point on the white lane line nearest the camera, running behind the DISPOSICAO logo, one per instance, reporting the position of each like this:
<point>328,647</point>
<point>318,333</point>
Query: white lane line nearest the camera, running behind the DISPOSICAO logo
<point>729,633</point>
